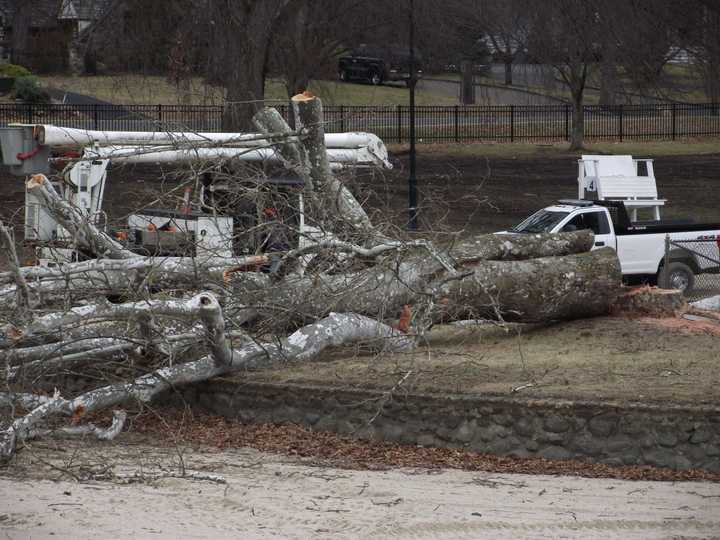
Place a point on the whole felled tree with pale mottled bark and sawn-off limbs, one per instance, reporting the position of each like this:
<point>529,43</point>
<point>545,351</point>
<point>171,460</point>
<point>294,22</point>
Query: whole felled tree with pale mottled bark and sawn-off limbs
<point>181,320</point>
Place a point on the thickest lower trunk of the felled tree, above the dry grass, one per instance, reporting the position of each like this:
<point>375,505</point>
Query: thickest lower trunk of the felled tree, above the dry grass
<point>542,289</point>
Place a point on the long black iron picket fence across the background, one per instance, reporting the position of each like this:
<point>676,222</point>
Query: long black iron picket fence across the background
<point>500,123</point>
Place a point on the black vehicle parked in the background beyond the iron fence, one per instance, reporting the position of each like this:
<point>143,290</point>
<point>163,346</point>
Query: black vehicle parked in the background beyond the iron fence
<point>378,64</point>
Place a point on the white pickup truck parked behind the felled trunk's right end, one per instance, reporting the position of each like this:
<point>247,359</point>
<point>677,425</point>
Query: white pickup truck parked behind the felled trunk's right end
<point>640,245</point>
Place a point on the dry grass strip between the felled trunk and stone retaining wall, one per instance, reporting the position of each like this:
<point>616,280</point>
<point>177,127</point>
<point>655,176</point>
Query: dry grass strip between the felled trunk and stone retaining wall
<point>605,358</point>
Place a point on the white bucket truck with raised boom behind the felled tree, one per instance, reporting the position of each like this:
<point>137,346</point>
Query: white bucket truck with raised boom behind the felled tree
<point>219,222</point>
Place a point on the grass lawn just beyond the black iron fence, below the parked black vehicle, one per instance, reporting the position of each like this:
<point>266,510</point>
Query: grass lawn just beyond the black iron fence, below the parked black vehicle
<point>137,90</point>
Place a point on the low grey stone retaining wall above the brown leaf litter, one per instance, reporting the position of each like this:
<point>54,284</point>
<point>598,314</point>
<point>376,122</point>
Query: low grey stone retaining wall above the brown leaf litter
<point>620,434</point>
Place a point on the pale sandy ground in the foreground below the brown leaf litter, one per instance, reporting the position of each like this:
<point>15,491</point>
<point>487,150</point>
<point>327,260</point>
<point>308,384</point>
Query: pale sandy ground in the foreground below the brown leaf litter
<point>267,496</point>
